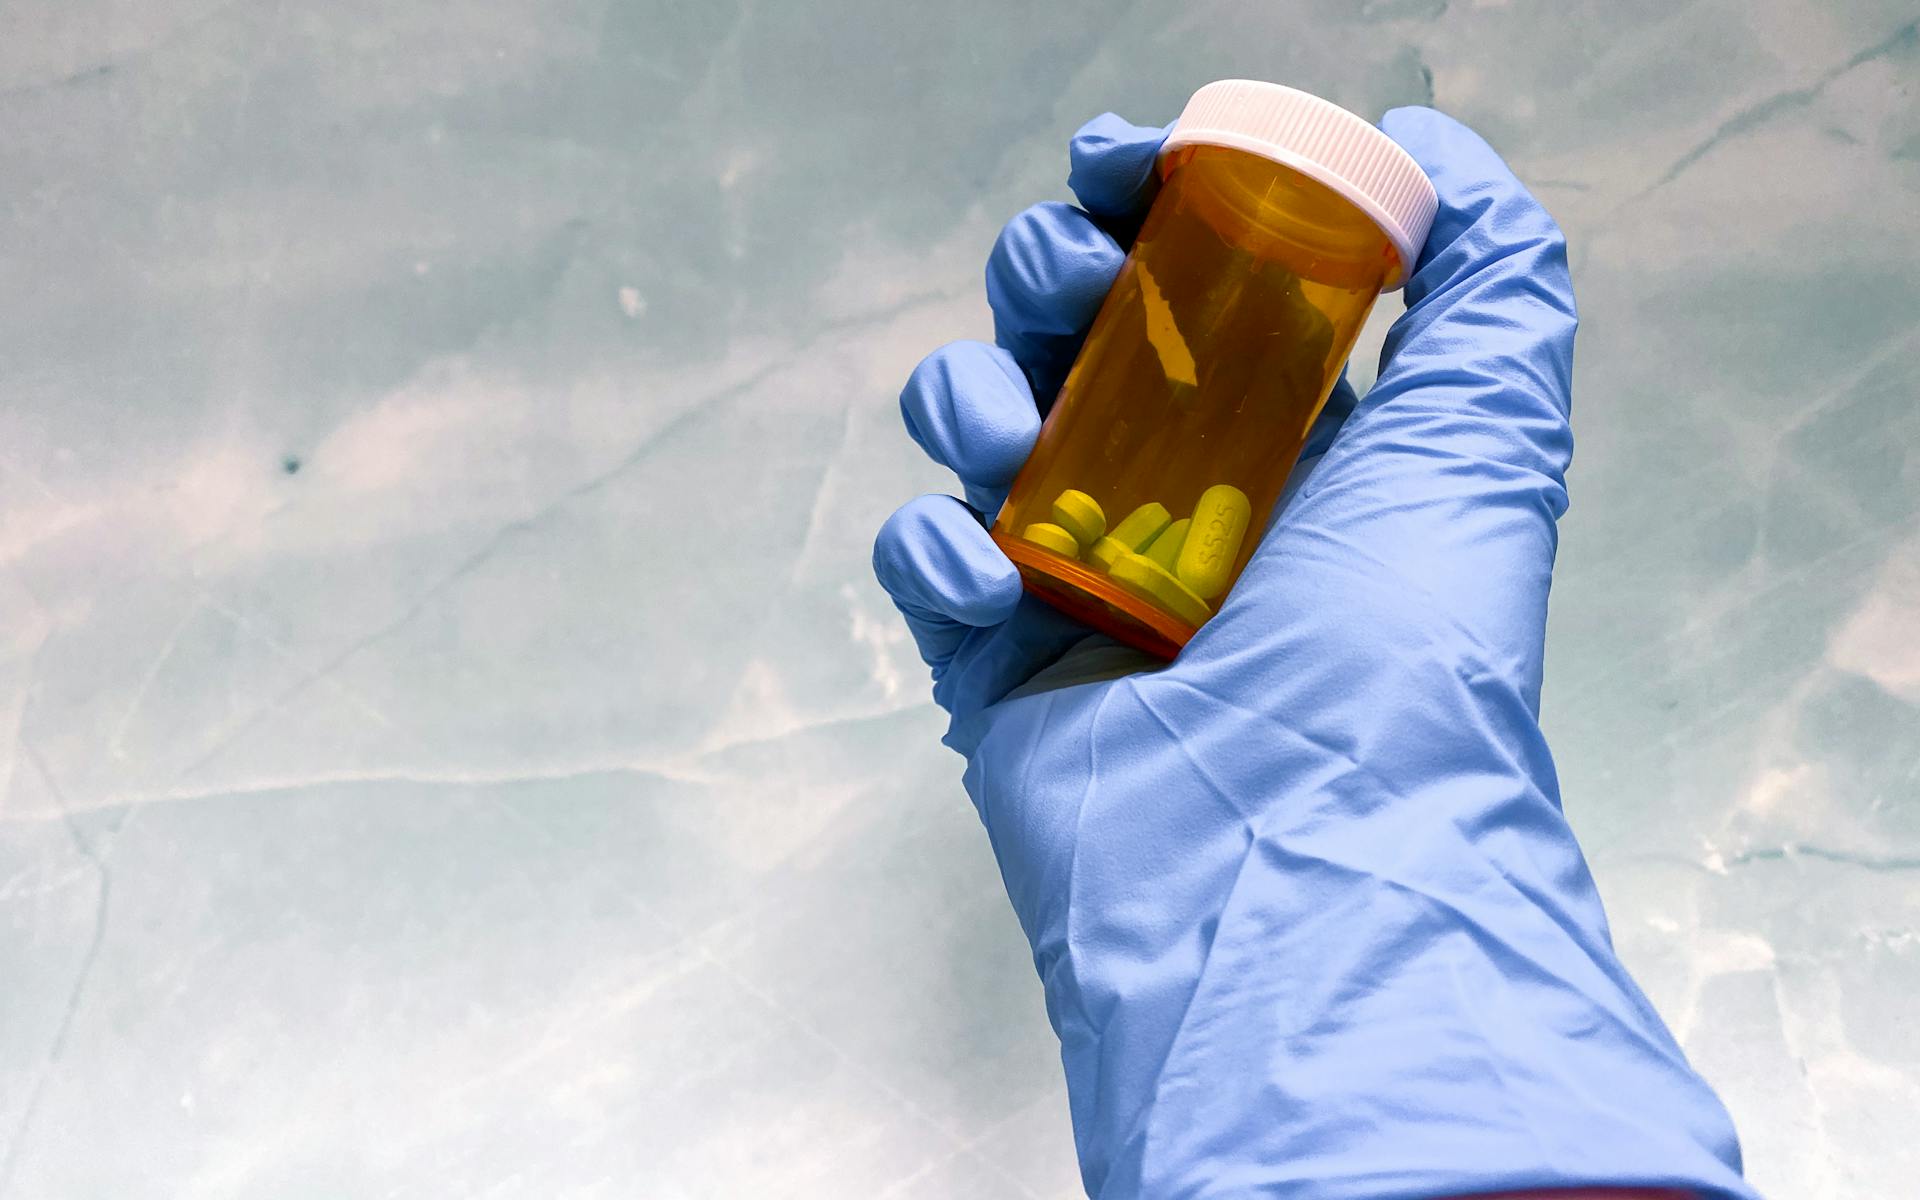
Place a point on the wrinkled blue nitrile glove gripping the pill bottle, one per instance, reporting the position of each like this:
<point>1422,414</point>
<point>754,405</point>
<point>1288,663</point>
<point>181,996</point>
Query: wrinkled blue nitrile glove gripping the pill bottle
<point>1305,903</point>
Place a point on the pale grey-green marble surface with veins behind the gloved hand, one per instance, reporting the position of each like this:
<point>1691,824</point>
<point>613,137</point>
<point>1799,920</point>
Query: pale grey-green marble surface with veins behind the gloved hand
<point>458,748</point>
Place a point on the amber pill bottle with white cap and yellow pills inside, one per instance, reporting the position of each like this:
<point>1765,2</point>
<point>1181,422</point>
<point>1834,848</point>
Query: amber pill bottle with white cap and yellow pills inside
<point>1278,224</point>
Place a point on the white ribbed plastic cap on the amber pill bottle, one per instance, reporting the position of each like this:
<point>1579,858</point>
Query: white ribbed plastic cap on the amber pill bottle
<point>1324,141</point>
